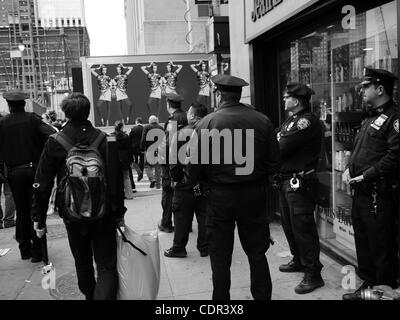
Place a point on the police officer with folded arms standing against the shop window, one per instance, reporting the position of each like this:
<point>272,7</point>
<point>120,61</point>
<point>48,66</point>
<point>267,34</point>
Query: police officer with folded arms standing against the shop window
<point>300,140</point>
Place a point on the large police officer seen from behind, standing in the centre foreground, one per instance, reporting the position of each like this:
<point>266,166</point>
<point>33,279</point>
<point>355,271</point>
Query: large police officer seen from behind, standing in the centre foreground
<point>236,190</point>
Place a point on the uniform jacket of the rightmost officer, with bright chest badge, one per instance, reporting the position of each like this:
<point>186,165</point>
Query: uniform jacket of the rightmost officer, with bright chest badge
<point>376,152</point>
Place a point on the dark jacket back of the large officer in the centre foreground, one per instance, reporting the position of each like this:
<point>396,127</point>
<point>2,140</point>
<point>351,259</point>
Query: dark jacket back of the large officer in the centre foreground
<point>231,116</point>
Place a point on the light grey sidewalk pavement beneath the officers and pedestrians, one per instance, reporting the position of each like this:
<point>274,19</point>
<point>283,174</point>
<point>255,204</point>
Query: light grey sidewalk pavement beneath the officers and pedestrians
<point>181,279</point>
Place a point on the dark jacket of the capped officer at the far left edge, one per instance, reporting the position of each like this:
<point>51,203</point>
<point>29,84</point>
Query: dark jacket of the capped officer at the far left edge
<point>22,138</point>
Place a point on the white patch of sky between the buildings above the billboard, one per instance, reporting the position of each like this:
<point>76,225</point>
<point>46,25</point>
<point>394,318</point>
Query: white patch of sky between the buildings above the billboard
<point>106,25</point>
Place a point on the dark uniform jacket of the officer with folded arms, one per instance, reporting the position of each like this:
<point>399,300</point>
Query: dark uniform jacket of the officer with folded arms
<point>300,140</point>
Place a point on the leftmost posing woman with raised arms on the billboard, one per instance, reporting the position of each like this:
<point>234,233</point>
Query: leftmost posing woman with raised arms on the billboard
<point>105,86</point>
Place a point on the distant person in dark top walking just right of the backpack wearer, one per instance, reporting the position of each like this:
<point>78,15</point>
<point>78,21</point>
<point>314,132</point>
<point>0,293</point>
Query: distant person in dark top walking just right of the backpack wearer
<point>125,156</point>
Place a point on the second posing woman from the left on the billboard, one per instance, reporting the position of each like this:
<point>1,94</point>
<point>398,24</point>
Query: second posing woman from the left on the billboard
<point>121,86</point>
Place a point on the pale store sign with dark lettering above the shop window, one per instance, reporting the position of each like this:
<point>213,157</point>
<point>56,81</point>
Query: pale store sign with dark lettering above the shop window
<point>263,15</point>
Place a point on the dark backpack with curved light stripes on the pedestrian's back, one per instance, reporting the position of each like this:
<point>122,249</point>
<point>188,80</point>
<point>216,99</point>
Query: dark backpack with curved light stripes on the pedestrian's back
<point>81,194</point>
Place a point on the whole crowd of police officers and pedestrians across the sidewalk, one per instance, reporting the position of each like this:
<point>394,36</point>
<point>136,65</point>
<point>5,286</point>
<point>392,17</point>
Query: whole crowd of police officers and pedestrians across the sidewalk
<point>93,174</point>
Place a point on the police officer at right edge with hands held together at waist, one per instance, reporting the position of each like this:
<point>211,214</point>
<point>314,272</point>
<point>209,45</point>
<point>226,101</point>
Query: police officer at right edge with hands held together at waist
<point>374,175</point>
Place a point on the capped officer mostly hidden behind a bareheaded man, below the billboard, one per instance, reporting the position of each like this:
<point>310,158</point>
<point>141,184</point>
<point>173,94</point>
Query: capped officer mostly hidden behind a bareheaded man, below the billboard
<point>177,120</point>
